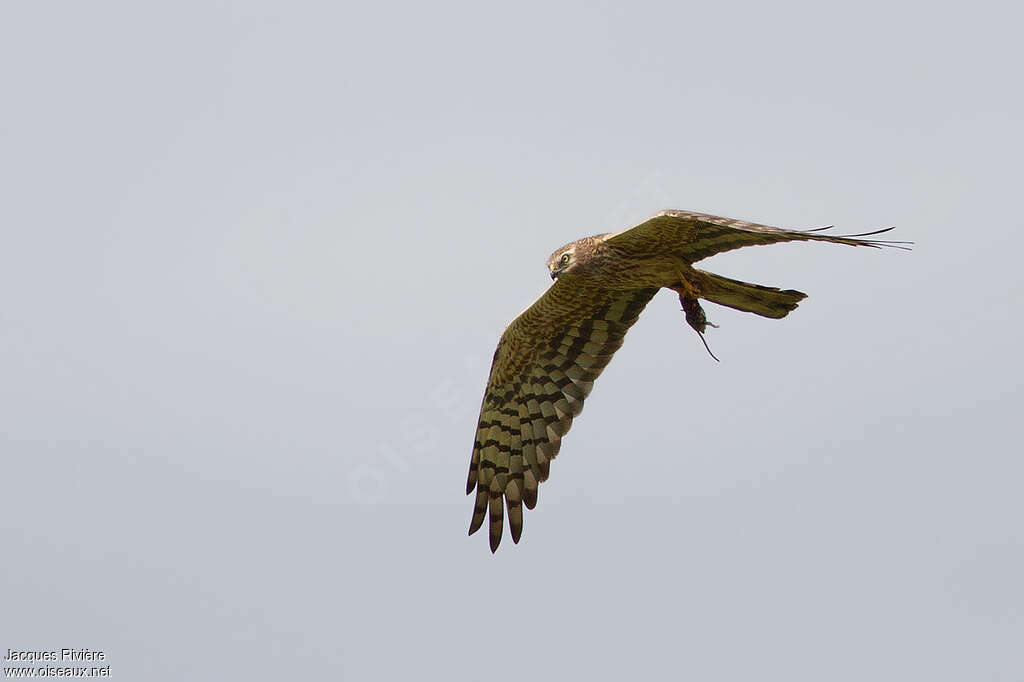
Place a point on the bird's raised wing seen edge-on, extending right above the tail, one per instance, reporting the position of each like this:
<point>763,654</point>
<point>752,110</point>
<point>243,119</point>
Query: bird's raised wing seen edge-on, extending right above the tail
<point>698,236</point>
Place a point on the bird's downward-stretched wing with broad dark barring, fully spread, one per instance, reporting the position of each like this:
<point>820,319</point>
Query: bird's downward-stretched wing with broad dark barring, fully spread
<point>544,368</point>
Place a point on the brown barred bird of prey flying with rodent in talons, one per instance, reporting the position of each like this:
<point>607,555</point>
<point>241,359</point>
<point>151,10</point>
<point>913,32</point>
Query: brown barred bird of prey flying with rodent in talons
<point>549,357</point>
